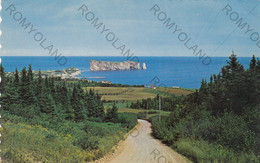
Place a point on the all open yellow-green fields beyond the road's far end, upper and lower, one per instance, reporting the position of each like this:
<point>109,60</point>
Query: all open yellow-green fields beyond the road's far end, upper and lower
<point>125,95</point>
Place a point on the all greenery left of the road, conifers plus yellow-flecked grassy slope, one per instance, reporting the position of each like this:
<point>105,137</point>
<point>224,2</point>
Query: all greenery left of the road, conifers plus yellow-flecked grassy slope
<point>49,120</point>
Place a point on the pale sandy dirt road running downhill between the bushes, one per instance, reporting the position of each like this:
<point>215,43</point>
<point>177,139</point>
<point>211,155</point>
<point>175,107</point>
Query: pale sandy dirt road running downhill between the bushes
<point>141,147</point>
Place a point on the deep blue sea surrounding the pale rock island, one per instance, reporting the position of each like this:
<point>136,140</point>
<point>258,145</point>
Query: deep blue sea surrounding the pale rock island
<point>184,72</point>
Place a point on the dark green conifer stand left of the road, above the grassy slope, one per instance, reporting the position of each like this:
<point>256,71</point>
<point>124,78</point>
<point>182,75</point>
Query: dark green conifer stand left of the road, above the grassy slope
<point>29,96</point>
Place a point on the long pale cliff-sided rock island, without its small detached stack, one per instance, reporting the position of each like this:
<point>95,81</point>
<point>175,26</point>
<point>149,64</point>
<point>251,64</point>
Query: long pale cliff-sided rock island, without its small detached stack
<point>109,66</point>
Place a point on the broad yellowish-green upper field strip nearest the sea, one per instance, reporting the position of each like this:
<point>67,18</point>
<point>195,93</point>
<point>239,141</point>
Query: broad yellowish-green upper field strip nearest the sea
<point>135,93</point>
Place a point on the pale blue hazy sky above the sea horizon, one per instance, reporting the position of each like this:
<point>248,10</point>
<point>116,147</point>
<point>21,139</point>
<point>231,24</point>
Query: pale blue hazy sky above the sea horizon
<point>135,23</point>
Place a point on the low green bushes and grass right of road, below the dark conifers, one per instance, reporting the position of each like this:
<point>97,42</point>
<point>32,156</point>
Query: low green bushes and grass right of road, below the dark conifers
<point>205,138</point>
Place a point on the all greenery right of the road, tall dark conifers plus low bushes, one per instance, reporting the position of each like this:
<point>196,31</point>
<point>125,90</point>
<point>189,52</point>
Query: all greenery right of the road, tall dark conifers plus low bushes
<point>220,121</point>
